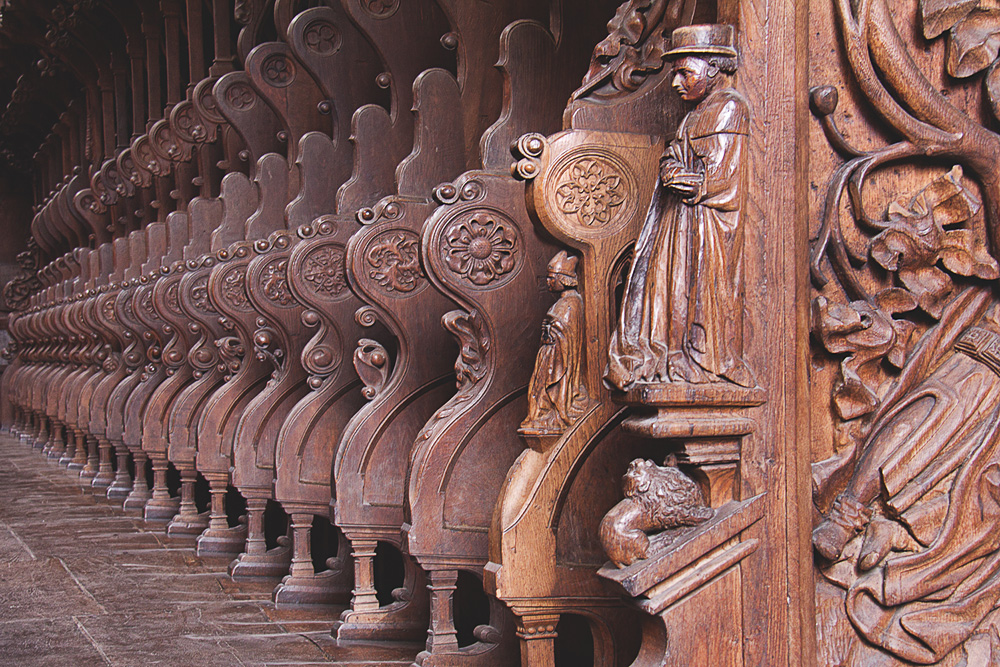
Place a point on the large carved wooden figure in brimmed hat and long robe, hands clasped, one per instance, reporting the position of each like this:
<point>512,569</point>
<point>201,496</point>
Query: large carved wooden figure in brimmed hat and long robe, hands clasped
<point>682,313</point>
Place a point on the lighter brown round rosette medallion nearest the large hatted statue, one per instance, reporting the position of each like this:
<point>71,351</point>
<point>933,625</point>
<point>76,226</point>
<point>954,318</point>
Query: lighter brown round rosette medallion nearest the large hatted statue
<point>595,190</point>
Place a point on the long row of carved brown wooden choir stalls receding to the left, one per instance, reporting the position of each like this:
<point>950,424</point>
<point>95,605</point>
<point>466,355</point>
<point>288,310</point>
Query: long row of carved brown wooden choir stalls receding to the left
<point>325,291</point>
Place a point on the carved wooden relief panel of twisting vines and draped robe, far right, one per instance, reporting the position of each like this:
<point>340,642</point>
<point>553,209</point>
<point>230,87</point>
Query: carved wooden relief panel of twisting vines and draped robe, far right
<point>906,333</point>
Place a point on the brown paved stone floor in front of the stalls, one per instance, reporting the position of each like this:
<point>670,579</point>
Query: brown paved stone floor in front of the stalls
<point>83,584</point>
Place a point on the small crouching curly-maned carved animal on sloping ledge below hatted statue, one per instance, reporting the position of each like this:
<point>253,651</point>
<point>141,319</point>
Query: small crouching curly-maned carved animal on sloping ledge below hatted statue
<point>656,498</point>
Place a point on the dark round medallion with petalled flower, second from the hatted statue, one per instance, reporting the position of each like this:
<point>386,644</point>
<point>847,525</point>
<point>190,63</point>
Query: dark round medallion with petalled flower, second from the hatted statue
<point>481,247</point>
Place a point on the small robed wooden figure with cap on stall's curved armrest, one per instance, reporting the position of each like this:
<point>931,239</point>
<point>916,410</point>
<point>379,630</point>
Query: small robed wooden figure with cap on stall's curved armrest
<point>557,396</point>
